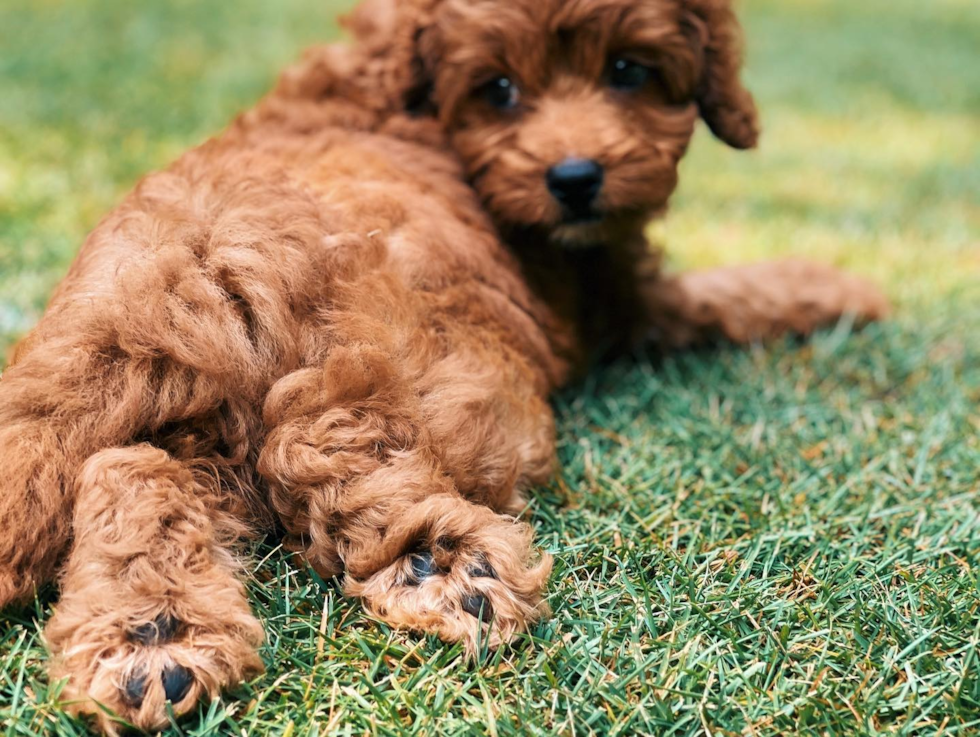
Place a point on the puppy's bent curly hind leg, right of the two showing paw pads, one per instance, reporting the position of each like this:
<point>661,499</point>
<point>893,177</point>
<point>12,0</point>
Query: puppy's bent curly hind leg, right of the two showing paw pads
<point>354,476</point>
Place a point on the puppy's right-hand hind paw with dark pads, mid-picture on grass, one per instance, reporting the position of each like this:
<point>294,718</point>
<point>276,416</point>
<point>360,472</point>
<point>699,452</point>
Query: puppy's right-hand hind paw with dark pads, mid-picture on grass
<point>478,581</point>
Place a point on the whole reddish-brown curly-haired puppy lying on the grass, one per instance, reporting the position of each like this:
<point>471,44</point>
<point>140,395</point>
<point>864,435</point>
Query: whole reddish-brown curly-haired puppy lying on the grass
<point>313,321</point>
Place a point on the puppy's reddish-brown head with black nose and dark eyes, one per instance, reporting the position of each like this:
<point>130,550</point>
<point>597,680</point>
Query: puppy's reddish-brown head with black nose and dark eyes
<point>569,115</point>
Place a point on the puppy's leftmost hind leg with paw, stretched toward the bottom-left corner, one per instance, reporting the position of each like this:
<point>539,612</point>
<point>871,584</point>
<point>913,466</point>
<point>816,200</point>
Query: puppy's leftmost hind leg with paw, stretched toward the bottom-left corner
<point>152,610</point>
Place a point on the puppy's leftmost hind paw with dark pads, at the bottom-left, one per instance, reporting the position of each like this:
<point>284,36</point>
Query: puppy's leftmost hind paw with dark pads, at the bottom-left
<point>131,672</point>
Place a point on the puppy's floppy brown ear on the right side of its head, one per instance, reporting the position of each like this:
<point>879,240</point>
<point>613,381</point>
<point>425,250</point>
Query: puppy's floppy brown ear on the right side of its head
<point>726,106</point>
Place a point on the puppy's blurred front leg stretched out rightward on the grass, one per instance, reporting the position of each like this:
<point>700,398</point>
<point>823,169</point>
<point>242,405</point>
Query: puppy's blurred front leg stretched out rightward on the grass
<point>756,302</point>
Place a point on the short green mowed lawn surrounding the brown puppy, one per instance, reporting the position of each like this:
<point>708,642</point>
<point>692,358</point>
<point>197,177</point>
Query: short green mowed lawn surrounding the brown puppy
<point>776,541</point>
